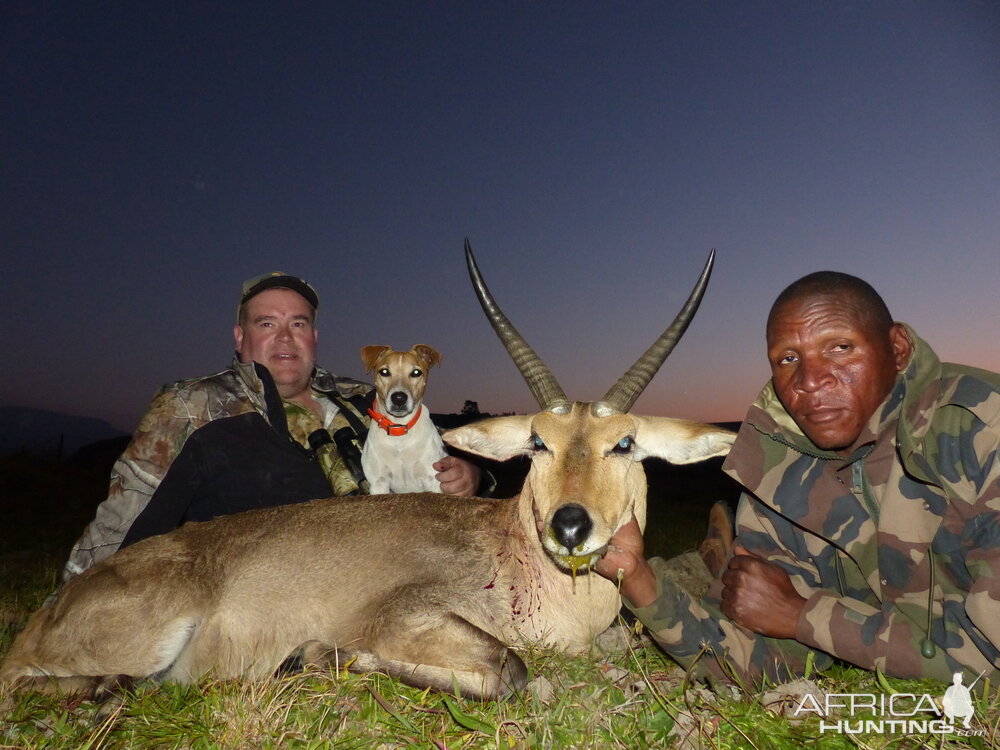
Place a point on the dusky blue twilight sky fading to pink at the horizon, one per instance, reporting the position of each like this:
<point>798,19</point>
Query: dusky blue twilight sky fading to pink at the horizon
<point>155,154</point>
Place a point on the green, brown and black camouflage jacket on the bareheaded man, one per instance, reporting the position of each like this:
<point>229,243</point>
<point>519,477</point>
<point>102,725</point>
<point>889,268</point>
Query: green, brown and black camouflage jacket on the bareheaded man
<point>910,519</point>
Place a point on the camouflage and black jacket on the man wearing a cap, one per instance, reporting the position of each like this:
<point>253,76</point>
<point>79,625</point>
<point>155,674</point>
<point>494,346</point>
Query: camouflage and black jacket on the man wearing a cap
<point>210,446</point>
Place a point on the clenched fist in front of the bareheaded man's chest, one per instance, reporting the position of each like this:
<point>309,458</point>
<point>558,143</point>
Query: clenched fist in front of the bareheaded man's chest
<point>759,595</point>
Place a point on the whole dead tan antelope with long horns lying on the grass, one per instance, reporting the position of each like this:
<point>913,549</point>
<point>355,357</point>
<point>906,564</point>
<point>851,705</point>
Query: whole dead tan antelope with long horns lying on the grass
<point>431,589</point>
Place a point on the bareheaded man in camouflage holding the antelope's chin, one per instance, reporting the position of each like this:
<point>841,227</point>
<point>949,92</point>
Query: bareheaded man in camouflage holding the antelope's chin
<point>869,529</point>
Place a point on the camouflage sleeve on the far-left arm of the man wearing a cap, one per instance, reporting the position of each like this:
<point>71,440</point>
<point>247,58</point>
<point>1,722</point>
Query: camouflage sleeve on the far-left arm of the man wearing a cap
<point>134,478</point>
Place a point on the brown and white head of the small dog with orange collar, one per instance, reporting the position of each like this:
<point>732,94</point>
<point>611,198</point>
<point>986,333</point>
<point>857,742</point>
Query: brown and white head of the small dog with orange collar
<point>399,377</point>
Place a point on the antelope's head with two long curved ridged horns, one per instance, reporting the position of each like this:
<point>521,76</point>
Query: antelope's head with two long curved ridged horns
<point>585,479</point>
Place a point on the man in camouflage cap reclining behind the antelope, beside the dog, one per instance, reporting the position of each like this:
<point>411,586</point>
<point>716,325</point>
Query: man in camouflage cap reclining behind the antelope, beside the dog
<point>269,430</point>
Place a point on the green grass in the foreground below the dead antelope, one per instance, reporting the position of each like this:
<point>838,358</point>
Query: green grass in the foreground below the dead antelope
<point>634,699</point>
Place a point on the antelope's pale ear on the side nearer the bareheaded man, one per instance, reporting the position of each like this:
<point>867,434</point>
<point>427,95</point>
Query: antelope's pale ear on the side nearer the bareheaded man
<point>680,441</point>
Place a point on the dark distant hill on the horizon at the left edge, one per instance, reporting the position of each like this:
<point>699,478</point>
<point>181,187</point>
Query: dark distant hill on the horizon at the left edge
<point>47,433</point>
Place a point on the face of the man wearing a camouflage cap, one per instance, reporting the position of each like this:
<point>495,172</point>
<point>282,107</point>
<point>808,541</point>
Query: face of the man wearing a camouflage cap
<point>277,331</point>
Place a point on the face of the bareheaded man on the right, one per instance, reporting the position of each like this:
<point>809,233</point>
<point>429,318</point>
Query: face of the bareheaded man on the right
<point>830,369</point>
